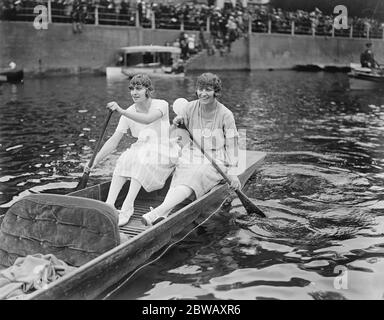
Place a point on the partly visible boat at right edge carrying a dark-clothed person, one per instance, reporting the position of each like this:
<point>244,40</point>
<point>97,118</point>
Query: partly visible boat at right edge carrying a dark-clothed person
<point>365,78</point>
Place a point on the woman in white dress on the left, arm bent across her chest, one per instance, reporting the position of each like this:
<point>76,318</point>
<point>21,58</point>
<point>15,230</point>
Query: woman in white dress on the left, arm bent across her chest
<point>150,160</point>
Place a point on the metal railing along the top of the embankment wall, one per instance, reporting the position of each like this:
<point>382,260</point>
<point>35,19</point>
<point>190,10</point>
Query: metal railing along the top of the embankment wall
<point>100,15</point>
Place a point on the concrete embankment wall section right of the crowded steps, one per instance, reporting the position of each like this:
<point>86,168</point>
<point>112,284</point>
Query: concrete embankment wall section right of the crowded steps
<point>279,51</point>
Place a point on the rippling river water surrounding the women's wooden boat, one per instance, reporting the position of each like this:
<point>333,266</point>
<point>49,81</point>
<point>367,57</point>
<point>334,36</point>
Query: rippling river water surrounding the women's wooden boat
<point>321,184</point>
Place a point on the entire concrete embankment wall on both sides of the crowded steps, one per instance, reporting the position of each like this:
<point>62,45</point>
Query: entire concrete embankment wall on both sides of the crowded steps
<point>59,50</point>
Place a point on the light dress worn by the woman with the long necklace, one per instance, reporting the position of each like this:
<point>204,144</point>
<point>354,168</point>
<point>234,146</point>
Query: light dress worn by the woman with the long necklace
<point>193,169</point>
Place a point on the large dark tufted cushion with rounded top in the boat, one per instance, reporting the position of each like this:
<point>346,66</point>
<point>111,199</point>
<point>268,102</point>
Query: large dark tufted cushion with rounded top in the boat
<point>76,230</point>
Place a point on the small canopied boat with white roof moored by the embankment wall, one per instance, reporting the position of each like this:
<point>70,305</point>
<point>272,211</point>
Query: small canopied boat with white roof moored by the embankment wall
<point>161,61</point>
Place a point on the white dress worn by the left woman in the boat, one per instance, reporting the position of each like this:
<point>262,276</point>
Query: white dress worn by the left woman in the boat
<point>151,159</point>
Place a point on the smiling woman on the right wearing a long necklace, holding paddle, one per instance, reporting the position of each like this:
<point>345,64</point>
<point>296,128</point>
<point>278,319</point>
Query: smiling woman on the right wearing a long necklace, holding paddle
<point>213,127</point>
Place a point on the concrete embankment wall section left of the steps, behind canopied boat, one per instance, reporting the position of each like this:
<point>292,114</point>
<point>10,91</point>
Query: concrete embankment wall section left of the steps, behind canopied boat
<point>59,50</point>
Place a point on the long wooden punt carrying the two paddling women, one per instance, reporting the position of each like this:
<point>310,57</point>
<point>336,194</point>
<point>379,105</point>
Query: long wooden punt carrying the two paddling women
<point>90,280</point>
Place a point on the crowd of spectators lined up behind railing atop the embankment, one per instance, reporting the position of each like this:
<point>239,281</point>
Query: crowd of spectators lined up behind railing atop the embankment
<point>225,24</point>
